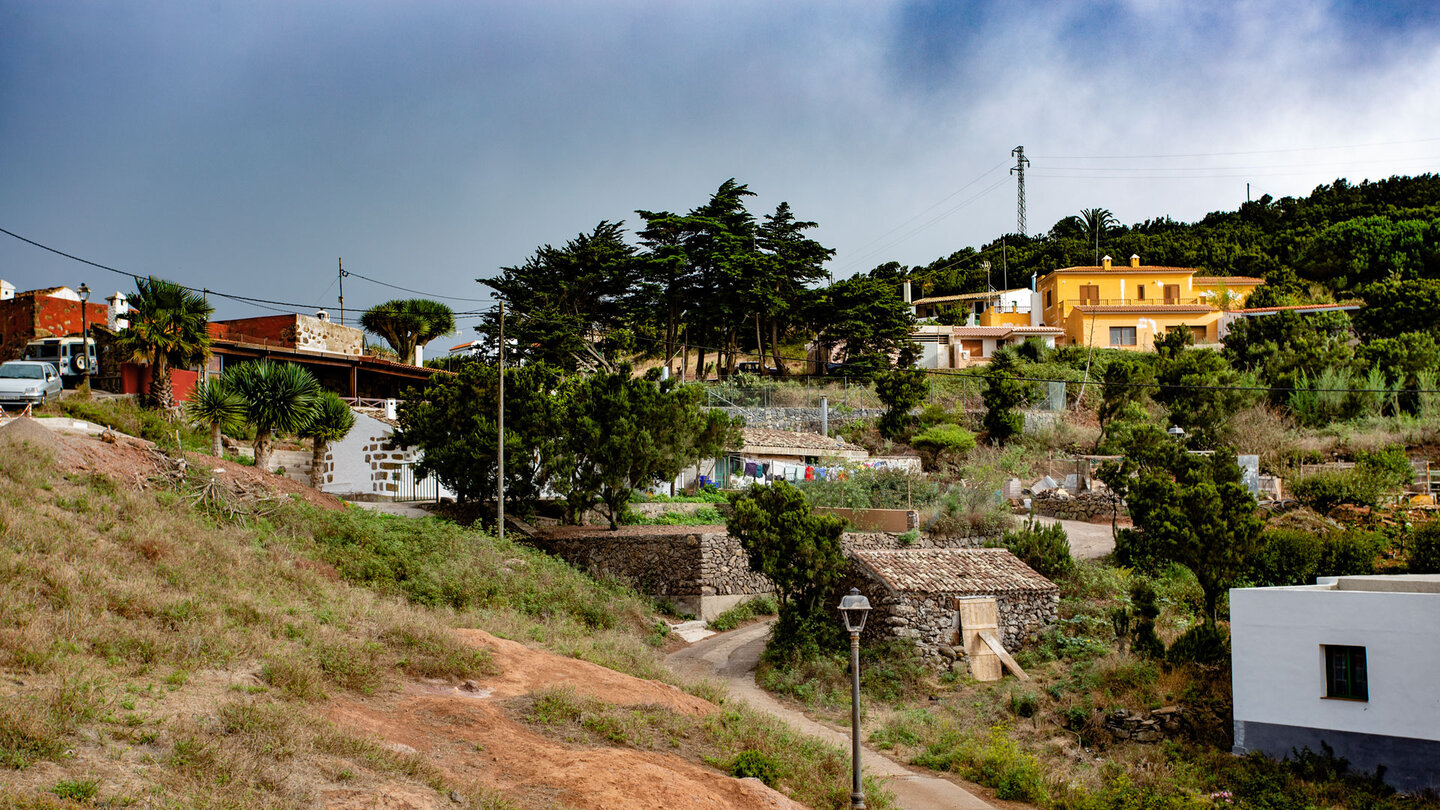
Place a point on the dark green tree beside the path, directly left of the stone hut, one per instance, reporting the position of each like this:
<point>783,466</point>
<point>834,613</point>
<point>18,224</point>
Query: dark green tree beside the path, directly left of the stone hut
<point>798,553</point>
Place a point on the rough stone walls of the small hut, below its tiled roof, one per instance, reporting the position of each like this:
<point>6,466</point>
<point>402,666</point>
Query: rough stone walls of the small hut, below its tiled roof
<point>931,623</point>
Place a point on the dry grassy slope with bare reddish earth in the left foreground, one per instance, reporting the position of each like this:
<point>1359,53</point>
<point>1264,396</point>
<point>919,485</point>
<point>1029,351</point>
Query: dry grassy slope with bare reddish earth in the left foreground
<point>174,636</point>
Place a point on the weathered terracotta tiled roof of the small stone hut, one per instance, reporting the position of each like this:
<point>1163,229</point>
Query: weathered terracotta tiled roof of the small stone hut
<point>953,571</point>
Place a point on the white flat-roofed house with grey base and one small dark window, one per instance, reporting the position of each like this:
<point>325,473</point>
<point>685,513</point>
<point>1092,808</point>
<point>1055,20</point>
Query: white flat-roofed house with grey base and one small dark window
<point>1351,662</point>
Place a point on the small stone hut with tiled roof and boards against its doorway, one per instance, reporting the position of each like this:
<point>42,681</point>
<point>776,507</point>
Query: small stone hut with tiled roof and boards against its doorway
<point>915,593</point>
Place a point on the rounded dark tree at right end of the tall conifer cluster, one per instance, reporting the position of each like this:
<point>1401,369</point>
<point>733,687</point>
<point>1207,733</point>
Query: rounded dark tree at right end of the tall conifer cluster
<point>868,318</point>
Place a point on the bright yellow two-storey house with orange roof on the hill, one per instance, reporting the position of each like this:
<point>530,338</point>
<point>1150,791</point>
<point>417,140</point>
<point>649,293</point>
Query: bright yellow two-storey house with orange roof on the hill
<point>1130,308</point>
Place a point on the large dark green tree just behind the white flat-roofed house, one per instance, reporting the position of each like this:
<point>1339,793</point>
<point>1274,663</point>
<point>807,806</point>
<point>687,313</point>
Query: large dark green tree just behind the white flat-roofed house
<point>1189,508</point>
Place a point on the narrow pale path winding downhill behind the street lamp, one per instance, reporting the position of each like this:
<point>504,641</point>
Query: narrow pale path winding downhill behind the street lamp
<point>732,658</point>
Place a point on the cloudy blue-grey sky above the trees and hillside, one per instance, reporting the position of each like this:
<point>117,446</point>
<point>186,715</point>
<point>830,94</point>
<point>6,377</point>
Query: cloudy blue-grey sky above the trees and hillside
<point>248,148</point>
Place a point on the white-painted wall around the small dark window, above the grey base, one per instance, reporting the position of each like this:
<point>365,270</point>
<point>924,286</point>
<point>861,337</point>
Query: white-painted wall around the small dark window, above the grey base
<point>1279,675</point>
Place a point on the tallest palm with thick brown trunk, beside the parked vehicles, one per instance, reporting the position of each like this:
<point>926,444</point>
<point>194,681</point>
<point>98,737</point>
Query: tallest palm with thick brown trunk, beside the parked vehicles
<point>168,328</point>
